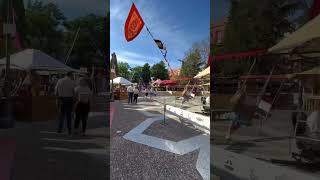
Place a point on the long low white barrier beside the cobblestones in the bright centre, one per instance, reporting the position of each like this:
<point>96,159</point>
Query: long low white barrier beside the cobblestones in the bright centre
<point>200,121</point>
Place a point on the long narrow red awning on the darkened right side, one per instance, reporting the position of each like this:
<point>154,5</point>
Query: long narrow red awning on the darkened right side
<point>240,55</point>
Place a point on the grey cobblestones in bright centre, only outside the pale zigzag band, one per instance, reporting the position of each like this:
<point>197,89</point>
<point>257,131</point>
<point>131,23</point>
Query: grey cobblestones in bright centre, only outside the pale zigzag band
<point>130,160</point>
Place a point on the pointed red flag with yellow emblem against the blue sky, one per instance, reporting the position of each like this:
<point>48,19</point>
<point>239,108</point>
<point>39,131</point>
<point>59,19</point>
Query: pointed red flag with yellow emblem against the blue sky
<point>134,24</point>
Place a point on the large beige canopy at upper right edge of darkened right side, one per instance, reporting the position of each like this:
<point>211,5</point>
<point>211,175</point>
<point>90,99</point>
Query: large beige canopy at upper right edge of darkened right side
<point>306,39</point>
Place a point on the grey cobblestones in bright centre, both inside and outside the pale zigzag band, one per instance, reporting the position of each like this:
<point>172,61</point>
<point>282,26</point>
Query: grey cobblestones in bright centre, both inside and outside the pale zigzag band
<point>131,160</point>
